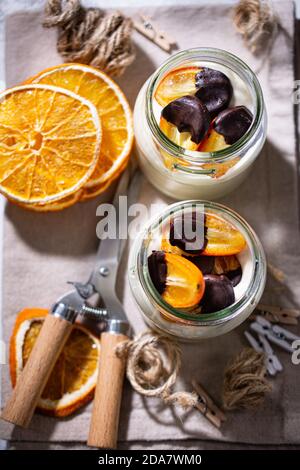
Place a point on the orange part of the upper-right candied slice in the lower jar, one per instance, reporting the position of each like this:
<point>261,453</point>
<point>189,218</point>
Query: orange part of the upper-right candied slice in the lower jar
<point>223,238</point>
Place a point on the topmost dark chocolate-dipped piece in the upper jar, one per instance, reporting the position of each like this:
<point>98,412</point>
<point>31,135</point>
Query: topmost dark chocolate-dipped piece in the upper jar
<point>214,90</point>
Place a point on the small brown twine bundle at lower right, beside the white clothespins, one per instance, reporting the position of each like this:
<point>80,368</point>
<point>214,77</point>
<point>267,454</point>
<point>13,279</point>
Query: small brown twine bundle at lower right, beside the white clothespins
<point>245,384</point>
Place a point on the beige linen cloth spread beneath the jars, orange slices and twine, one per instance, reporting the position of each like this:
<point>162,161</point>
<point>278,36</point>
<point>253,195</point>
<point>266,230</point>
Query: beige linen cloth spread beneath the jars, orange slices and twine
<point>43,251</point>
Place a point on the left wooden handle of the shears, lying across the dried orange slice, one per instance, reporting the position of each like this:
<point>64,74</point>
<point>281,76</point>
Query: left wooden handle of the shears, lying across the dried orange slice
<point>32,380</point>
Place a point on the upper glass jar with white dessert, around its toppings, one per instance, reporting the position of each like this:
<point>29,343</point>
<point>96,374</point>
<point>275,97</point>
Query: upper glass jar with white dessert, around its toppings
<point>185,174</point>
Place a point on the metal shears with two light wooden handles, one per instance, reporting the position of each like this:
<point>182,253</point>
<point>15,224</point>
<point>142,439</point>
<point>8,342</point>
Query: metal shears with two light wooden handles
<point>57,327</point>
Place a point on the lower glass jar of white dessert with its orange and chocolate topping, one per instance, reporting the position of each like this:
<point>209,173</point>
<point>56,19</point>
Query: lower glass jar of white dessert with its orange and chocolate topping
<point>170,291</point>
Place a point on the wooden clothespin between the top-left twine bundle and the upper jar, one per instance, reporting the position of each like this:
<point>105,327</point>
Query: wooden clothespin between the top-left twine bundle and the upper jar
<point>146,27</point>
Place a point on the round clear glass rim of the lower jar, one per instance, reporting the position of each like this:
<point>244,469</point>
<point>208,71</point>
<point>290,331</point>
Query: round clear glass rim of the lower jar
<point>210,319</point>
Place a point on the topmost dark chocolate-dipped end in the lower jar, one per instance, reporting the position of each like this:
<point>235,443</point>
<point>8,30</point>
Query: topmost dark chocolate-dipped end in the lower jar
<point>184,232</point>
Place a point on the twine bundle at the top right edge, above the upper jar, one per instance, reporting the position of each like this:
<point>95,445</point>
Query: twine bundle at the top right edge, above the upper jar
<point>257,22</point>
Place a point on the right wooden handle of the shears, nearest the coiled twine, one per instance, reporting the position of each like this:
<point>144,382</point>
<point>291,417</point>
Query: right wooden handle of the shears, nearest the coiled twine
<point>106,409</point>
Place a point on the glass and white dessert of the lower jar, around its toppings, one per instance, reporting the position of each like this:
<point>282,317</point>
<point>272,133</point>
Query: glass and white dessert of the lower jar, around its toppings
<point>184,325</point>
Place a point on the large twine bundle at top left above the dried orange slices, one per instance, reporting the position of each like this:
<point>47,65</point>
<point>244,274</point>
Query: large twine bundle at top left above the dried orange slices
<point>88,36</point>
